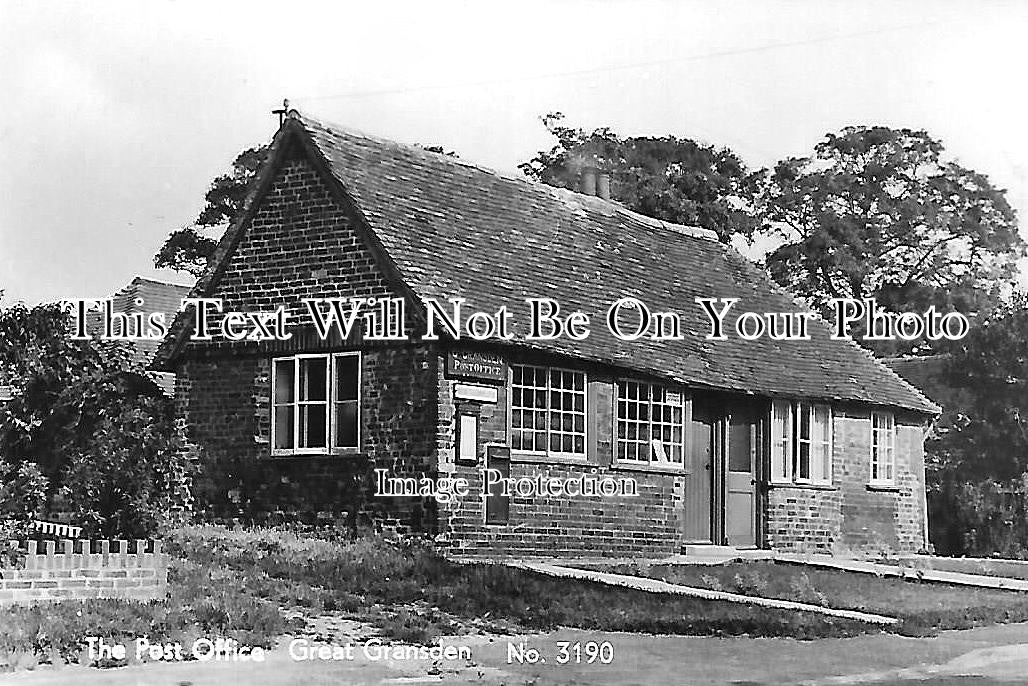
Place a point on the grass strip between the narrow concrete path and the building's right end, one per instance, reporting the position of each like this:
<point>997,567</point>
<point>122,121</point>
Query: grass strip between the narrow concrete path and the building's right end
<point>924,607</point>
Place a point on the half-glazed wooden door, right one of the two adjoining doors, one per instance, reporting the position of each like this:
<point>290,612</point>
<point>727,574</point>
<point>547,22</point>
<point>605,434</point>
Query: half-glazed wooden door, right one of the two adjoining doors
<point>741,479</point>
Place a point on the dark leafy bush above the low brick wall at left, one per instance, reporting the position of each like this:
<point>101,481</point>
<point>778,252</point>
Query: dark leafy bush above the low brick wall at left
<point>97,429</point>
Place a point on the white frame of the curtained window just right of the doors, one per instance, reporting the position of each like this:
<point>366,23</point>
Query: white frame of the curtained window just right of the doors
<point>786,441</point>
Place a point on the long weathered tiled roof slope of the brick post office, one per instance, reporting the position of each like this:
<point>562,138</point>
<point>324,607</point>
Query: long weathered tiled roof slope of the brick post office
<point>455,230</point>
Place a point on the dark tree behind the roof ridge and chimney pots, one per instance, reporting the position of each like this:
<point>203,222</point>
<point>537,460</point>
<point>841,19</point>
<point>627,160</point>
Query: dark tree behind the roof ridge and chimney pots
<point>675,179</point>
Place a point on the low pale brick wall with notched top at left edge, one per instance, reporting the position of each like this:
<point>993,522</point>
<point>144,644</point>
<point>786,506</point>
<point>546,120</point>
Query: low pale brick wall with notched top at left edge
<point>81,569</point>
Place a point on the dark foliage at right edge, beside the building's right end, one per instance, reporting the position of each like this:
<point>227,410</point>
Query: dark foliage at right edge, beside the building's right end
<point>977,463</point>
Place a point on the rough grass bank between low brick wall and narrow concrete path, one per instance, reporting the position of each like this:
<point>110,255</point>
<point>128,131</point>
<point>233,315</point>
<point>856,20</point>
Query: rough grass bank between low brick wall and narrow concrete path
<point>411,592</point>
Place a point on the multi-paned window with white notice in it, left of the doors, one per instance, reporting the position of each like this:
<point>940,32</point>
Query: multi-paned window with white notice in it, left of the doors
<point>650,425</point>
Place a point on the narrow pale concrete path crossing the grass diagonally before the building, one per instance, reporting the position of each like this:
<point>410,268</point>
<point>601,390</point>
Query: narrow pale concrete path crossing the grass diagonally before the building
<point>658,587</point>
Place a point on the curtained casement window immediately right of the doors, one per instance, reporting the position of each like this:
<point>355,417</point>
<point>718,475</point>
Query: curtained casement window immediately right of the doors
<point>801,443</point>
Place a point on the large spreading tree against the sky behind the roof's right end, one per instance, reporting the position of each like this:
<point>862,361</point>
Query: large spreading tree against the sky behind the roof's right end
<point>878,212</point>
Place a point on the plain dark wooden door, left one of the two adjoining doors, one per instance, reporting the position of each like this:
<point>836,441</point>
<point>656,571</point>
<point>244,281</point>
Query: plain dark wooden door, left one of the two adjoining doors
<point>700,492</point>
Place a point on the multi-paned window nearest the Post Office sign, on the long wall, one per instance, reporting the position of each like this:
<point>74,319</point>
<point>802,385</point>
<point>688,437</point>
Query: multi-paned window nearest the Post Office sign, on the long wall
<point>547,411</point>
